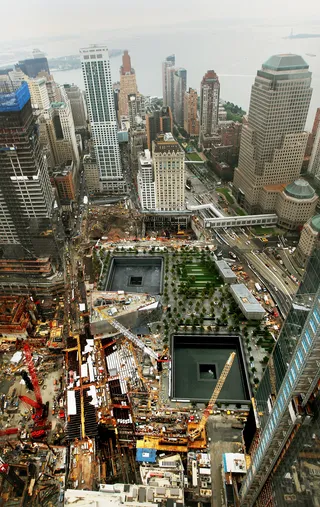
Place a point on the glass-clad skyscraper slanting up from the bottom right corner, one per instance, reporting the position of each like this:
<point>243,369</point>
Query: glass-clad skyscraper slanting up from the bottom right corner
<point>283,428</point>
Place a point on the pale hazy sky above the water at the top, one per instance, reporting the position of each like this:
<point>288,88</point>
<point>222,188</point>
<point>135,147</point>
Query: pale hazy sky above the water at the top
<point>45,18</point>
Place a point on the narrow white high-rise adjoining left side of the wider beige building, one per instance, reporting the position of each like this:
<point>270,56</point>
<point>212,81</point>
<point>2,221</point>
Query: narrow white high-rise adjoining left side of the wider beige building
<point>145,180</point>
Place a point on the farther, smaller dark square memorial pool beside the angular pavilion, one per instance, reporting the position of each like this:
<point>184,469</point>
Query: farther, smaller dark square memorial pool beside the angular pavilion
<point>122,269</point>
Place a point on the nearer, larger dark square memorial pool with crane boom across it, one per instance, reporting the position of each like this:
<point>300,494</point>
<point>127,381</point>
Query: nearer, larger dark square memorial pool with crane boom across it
<point>188,351</point>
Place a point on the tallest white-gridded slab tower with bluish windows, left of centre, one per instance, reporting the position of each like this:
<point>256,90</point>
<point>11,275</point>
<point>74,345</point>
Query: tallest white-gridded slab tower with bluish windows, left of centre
<point>100,102</point>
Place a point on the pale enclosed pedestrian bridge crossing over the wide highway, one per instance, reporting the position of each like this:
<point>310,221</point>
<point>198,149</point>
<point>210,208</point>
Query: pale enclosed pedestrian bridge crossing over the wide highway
<point>221,220</point>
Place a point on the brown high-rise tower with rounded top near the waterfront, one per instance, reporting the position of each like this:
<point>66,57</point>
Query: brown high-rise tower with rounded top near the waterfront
<point>209,107</point>
